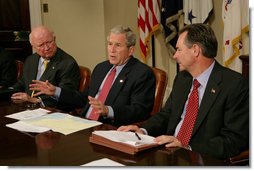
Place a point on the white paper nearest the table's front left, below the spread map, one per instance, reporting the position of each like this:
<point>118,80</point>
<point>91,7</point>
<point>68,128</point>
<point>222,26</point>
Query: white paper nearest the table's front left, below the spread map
<point>25,127</point>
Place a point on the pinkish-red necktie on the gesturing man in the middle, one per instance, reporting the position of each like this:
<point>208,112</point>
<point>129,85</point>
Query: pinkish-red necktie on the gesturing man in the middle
<point>104,92</point>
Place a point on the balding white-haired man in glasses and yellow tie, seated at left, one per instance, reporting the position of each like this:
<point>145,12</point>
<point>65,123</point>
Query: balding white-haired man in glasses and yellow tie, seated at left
<point>48,63</point>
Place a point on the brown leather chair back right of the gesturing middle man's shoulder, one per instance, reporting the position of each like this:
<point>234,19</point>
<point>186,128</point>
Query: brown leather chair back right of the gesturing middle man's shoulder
<point>160,88</point>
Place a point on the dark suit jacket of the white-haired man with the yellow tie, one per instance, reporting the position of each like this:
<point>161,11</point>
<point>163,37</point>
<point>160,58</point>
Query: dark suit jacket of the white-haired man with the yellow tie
<point>62,71</point>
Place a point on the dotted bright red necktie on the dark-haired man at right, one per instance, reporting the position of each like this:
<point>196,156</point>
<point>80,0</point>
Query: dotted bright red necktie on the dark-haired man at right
<point>185,131</point>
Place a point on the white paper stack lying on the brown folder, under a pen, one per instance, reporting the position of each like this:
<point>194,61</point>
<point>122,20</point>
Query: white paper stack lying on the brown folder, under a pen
<point>126,137</point>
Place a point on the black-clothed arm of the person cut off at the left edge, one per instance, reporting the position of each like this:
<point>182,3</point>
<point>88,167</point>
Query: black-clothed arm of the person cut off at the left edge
<point>8,69</point>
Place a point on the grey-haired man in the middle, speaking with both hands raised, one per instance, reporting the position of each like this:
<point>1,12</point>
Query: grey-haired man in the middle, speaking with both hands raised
<point>131,96</point>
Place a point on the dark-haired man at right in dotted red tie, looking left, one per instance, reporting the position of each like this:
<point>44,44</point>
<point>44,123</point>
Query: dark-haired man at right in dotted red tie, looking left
<point>210,116</point>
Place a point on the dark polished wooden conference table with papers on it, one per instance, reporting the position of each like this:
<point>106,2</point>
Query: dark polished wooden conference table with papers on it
<point>55,149</point>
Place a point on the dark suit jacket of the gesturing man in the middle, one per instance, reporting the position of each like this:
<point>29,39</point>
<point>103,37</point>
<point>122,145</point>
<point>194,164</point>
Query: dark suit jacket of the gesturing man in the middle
<point>131,95</point>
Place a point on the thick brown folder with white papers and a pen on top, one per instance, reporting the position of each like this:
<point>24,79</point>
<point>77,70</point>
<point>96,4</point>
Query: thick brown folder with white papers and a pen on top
<point>126,142</point>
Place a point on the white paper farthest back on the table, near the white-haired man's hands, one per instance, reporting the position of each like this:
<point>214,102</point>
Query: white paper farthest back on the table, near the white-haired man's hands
<point>28,114</point>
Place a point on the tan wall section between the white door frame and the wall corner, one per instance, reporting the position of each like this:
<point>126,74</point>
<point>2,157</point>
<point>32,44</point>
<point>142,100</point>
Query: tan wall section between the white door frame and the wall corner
<point>79,28</point>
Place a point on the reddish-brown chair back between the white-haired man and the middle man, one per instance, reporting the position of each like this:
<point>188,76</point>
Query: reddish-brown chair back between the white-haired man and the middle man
<point>85,74</point>
